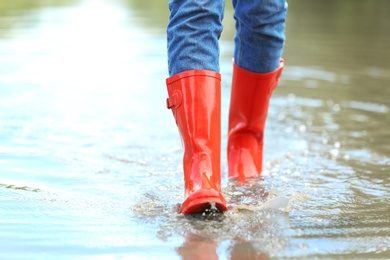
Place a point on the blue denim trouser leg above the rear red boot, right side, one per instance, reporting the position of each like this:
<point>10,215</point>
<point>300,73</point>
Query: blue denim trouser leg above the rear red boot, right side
<point>259,38</point>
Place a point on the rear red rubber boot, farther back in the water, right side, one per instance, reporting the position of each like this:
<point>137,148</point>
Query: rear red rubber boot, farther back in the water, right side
<point>250,96</point>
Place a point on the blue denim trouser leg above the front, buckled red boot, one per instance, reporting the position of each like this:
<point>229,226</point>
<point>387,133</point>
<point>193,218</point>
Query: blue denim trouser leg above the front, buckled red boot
<point>193,32</point>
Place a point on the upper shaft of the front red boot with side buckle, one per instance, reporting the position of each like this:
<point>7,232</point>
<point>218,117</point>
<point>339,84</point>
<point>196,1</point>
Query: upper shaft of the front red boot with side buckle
<point>195,101</point>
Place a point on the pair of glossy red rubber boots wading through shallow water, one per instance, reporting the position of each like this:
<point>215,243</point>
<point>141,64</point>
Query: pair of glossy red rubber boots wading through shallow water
<point>195,101</point>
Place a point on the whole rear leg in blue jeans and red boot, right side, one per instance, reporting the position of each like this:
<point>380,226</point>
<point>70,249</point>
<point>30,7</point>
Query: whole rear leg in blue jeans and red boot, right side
<point>259,43</point>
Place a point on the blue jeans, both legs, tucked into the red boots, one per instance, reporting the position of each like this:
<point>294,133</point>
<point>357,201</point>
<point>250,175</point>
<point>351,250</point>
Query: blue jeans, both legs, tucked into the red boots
<point>195,26</point>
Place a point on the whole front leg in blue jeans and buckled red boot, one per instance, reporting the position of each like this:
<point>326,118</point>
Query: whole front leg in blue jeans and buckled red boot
<point>194,90</point>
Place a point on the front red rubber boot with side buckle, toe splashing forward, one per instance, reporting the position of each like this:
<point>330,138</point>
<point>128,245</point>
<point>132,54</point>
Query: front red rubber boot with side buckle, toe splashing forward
<point>195,100</point>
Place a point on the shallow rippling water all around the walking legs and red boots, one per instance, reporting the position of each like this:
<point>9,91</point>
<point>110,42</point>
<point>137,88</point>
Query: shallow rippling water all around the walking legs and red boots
<point>90,159</point>
